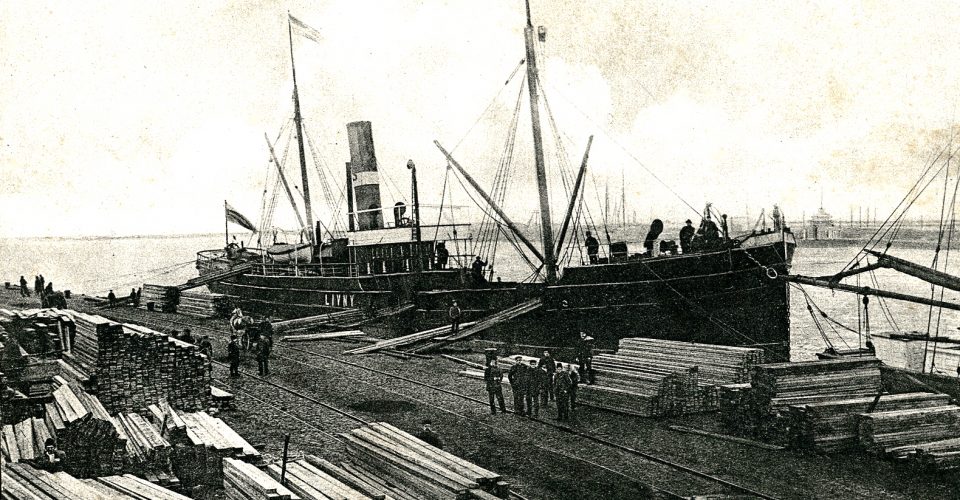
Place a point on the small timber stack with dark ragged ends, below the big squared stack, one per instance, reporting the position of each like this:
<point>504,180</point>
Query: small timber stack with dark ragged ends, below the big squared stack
<point>90,439</point>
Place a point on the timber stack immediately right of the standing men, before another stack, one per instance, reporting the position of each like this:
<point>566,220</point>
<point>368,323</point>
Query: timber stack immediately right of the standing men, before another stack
<point>623,387</point>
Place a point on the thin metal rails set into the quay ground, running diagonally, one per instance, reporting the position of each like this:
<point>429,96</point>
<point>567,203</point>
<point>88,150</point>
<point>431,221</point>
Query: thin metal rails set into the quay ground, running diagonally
<point>578,433</point>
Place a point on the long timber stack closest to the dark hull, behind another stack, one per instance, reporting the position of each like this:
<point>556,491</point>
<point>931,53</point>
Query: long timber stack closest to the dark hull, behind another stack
<point>717,364</point>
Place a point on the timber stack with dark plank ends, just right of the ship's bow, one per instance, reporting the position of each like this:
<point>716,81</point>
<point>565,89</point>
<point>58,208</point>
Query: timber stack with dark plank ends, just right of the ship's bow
<point>763,409</point>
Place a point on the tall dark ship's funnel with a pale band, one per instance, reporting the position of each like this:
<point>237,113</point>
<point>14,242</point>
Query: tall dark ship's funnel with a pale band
<point>364,176</point>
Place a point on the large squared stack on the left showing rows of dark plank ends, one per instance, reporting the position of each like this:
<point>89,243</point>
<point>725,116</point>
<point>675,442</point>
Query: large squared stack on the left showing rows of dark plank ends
<point>138,366</point>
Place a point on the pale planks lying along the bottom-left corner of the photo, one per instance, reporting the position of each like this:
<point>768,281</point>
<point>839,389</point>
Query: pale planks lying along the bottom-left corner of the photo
<point>22,482</point>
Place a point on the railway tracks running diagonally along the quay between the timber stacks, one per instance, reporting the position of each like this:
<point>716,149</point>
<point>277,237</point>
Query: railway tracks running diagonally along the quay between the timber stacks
<point>400,386</point>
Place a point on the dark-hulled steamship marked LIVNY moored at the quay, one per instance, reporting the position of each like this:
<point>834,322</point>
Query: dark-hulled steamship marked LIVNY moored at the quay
<point>723,289</point>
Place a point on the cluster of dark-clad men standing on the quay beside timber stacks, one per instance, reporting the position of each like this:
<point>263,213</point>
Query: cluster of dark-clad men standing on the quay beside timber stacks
<point>538,382</point>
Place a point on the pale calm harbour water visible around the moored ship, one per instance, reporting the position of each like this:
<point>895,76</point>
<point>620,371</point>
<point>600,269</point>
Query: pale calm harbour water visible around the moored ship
<point>819,317</point>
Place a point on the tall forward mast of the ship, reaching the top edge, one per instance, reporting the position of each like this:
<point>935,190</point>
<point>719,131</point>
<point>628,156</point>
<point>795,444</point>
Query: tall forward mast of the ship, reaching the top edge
<point>546,227</point>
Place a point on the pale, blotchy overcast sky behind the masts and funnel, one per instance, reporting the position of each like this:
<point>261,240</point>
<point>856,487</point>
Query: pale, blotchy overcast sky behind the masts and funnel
<point>122,118</point>
